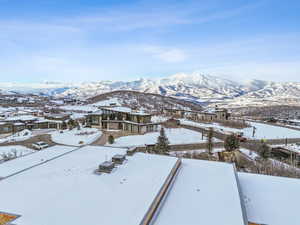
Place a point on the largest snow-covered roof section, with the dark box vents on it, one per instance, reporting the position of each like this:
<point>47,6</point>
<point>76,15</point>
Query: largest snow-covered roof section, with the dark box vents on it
<point>67,191</point>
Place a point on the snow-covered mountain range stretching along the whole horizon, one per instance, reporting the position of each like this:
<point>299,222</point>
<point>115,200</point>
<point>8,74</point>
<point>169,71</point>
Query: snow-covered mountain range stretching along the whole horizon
<point>194,87</point>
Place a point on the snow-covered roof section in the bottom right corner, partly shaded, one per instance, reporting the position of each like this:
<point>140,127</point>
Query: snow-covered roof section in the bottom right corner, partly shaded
<point>270,200</point>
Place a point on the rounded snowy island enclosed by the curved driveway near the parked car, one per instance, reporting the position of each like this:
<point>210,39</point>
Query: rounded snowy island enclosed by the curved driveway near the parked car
<point>76,137</point>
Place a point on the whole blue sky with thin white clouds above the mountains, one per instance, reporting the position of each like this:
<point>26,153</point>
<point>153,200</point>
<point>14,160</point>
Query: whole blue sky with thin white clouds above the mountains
<point>77,40</point>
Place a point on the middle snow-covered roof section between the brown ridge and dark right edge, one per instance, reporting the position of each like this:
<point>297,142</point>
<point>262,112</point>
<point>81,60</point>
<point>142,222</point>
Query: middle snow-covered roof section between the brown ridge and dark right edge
<point>204,192</point>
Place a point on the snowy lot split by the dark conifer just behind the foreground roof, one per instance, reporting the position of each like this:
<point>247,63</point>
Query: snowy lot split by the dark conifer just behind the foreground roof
<point>175,136</point>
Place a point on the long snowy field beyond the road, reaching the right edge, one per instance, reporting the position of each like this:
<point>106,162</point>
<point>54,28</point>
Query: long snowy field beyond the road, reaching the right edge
<point>263,131</point>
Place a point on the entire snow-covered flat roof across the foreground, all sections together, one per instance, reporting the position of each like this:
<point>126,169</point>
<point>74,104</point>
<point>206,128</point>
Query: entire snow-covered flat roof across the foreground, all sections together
<point>59,185</point>
